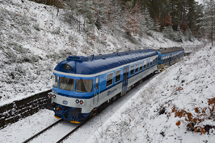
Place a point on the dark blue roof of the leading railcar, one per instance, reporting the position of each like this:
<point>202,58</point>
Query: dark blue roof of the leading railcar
<point>96,64</point>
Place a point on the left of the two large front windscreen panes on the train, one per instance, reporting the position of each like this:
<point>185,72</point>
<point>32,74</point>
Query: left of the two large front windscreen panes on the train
<point>66,83</point>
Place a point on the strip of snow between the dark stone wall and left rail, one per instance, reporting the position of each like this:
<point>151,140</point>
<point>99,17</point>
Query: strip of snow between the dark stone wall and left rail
<point>23,129</point>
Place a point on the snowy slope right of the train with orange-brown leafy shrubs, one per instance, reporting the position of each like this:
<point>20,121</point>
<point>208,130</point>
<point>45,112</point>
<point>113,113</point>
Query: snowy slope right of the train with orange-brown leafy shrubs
<point>153,114</point>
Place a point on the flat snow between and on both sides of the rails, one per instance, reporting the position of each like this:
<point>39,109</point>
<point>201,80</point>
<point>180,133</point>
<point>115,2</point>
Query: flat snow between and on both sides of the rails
<point>25,128</point>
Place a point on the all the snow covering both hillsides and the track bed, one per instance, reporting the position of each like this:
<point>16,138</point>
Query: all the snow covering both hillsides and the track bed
<point>33,40</point>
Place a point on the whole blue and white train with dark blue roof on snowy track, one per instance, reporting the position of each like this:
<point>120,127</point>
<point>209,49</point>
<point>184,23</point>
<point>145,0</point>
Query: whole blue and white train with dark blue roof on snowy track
<point>83,86</point>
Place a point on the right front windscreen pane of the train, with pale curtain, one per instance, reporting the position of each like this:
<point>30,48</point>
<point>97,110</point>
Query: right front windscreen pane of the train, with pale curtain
<point>84,85</point>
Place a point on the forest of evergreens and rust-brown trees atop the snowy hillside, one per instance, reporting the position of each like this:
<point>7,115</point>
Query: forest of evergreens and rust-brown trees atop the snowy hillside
<point>179,20</point>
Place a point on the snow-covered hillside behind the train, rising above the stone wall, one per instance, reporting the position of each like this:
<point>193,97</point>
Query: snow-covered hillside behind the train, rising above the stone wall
<point>33,39</point>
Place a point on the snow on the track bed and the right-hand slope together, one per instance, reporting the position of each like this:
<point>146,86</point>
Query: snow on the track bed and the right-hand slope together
<point>146,113</point>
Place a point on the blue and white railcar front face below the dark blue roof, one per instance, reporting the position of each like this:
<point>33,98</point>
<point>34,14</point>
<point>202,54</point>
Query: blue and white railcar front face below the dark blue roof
<point>72,97</point>
